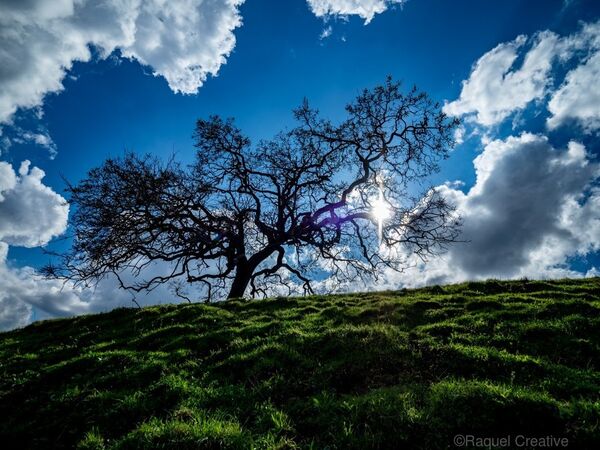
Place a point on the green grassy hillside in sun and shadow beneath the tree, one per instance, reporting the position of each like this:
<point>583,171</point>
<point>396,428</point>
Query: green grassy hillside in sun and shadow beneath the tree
<point>406,369</point>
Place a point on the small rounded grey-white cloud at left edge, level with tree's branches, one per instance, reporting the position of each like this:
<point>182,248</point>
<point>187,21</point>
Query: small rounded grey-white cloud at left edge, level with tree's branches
<point>31,213</point>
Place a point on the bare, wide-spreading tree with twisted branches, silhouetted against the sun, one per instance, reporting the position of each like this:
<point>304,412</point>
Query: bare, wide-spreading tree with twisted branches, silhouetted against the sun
<point>318,200</point>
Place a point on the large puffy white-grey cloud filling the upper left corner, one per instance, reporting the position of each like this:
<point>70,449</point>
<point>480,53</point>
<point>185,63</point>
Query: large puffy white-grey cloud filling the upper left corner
<point>183,41</point>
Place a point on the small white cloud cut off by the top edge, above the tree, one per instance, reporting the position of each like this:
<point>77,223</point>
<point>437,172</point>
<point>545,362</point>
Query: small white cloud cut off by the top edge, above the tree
<point>365,9</point>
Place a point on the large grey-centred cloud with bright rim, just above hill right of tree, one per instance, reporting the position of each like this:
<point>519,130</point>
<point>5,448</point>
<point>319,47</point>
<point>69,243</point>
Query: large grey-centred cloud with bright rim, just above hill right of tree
<point>526,215</point>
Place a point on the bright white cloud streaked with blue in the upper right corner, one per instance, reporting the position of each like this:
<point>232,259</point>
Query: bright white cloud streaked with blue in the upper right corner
<point>500,84</point>
